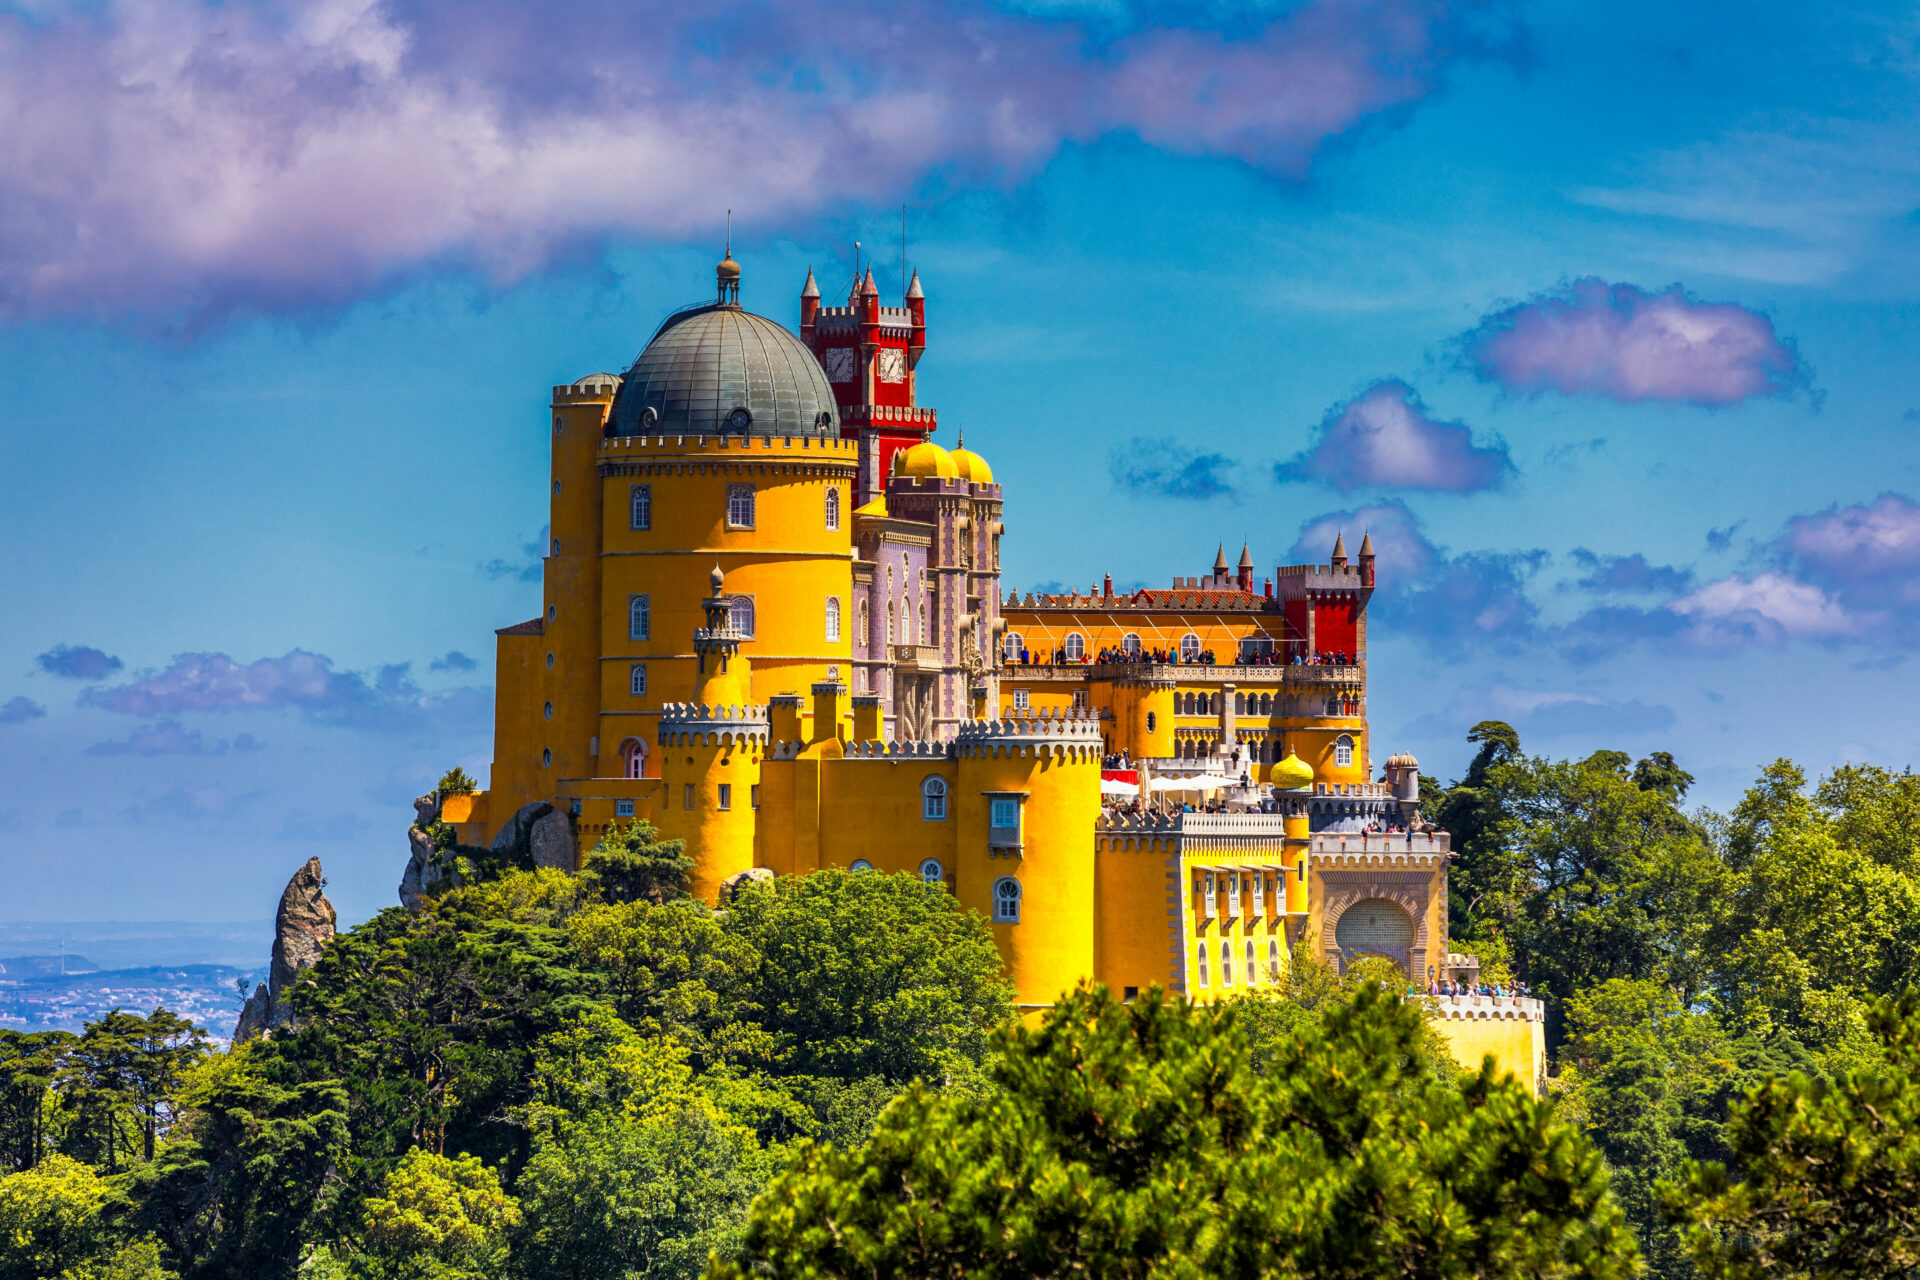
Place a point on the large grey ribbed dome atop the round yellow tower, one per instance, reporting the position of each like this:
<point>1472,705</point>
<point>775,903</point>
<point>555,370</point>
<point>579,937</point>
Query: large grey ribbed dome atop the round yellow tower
<point>709,362</point>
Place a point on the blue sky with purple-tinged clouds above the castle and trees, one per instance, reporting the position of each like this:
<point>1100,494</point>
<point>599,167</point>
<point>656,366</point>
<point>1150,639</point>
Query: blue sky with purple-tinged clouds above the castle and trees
<point>1600,318</point>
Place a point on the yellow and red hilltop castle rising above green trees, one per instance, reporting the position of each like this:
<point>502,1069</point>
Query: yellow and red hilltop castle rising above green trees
<point>775,628</point>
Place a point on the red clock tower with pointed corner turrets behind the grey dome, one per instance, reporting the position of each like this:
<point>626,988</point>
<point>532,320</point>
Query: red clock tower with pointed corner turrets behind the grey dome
<point>871,354</point>
